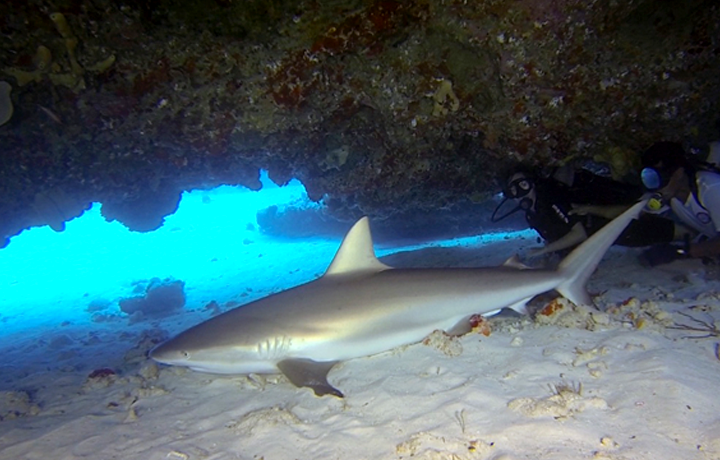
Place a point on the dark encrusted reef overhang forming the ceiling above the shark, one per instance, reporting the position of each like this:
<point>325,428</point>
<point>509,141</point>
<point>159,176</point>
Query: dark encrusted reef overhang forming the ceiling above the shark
<point>381,107</point>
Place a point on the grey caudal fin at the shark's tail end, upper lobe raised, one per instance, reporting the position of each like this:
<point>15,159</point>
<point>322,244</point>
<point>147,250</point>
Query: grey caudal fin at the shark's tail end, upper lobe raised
<point>577,267</point>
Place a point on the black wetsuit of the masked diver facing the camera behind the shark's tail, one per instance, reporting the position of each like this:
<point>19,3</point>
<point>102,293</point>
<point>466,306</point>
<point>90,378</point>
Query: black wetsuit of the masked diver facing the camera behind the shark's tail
<point>551,218</point>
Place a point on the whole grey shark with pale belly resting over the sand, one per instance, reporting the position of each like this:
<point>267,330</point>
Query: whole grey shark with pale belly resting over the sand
<point>361,307</point>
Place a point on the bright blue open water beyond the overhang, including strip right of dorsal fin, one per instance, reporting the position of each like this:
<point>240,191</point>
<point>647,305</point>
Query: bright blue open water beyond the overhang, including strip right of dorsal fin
<point>212,243</point>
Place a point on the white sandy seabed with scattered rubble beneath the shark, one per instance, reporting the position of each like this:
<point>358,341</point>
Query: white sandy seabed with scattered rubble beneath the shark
<point>629,381</point>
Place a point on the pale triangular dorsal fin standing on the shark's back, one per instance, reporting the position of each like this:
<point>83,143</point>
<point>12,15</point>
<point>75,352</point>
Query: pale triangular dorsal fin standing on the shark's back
<point>356,253</point>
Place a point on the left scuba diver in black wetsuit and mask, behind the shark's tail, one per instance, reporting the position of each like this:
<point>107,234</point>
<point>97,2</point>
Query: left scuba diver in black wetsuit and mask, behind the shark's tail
<point>565,213</point>
